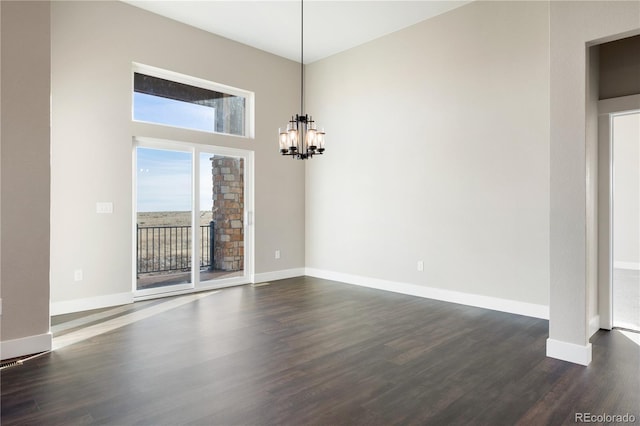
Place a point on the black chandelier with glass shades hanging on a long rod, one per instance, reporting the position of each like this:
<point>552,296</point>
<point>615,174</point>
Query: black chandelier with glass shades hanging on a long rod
<point>301,139</point>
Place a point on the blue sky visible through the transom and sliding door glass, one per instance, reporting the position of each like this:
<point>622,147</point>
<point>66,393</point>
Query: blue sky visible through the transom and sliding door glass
<point>164,176</point>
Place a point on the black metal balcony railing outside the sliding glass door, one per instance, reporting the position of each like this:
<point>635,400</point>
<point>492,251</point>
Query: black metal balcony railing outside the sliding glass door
<point>168,248</point>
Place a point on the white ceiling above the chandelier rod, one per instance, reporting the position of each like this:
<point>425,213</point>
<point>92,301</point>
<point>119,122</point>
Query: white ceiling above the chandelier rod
<point>274,26</point>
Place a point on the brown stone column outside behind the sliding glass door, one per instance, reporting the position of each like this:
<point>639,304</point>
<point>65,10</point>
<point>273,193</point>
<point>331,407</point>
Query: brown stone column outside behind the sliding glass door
<point>228,212</point>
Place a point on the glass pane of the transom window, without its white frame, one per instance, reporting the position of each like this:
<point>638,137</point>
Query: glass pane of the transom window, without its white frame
<point>161,101</point>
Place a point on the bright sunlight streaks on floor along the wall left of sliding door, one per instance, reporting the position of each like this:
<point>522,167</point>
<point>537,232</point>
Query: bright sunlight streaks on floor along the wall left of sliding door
<point>107,326</point>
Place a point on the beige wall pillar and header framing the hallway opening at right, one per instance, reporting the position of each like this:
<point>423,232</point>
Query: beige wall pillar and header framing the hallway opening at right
<point>574,25</point>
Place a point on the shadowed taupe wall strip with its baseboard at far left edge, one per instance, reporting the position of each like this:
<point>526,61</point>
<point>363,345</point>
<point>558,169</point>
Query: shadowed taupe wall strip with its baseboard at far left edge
<point>25,180</point>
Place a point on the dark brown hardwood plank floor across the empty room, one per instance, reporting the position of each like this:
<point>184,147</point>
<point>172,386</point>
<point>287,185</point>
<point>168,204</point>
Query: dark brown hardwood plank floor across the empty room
<point>308,351</point>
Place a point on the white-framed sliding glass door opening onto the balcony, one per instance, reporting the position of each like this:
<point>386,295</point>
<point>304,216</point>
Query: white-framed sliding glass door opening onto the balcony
<point>191,207</point>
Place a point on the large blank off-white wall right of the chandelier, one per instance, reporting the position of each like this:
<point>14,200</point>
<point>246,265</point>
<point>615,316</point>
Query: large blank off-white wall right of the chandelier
<point>437,151</point>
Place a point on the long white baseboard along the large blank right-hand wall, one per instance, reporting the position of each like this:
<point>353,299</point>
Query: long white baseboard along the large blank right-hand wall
<point>486,302</point>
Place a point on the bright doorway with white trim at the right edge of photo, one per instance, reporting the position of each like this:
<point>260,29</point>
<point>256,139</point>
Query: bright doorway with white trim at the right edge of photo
<point>619,213</point>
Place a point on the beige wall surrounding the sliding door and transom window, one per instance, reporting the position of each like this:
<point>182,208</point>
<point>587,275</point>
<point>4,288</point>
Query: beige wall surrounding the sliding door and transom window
<point>93,47</point>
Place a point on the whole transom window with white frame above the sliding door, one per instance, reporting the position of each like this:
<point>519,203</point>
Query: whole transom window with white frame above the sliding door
<point>172,99</point>
